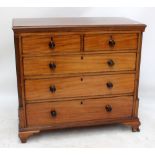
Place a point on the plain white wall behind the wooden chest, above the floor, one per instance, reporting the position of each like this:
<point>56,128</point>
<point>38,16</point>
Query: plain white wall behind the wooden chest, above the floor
<point>7,54</point>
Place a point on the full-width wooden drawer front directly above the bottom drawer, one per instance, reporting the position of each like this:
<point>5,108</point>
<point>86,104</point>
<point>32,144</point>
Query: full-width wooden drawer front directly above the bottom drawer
<point>79,86</point>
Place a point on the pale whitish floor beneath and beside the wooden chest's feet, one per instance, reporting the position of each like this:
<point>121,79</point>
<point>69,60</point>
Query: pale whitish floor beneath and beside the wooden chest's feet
<point>105,136</point>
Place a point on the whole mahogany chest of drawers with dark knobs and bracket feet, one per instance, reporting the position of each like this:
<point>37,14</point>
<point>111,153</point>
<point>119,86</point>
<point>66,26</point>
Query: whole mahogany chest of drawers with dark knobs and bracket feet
<point>75,72</point>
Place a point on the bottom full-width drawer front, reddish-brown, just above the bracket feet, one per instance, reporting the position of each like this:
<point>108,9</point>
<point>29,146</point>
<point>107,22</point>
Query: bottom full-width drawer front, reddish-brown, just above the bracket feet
<point>53,113</point>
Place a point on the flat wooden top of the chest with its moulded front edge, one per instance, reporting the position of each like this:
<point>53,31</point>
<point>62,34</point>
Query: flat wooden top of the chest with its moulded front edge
<point>112,23</point>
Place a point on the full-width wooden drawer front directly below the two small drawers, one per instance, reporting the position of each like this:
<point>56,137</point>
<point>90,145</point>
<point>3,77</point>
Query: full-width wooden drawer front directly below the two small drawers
<point>79,64</point>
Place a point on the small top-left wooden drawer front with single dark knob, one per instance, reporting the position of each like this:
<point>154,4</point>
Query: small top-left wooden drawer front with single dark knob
<point>41,44</point>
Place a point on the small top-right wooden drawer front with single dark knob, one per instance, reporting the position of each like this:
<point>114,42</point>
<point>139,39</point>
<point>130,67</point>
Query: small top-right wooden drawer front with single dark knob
<point>101,42</point>
